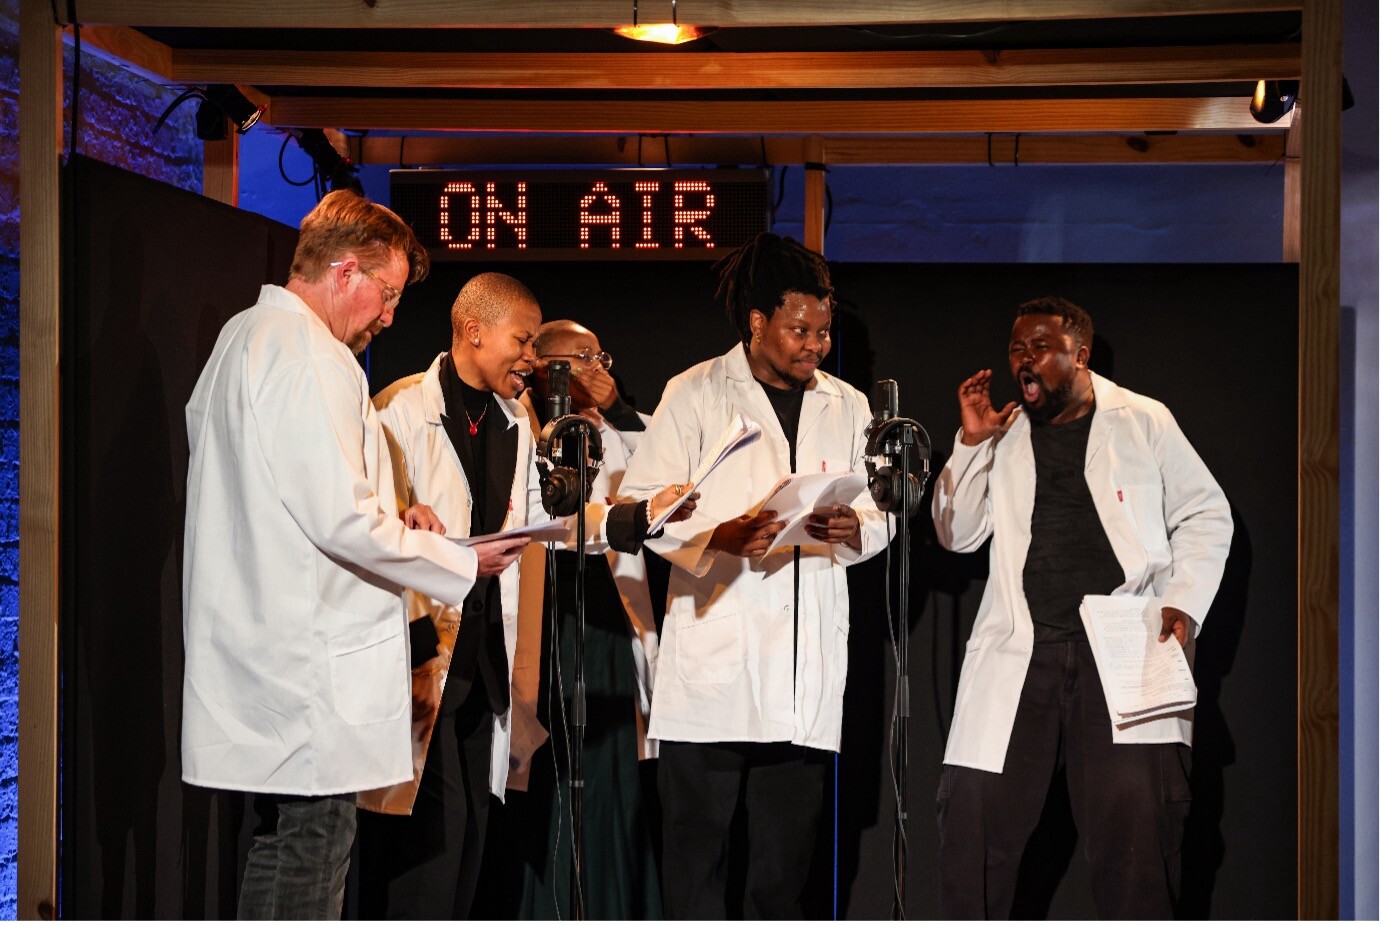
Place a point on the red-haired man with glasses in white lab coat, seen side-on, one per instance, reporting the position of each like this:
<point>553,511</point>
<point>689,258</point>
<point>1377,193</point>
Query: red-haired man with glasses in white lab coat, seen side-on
<point>295,557</point>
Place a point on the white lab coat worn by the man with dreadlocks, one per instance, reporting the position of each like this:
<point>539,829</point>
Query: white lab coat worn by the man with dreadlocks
<point>727,658</point>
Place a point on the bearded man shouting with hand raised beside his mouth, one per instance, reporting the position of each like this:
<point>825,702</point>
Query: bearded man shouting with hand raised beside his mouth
<point>1087,490</point>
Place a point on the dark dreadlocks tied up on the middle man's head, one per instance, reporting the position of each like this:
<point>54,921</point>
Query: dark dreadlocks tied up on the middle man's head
<point>759,273</point>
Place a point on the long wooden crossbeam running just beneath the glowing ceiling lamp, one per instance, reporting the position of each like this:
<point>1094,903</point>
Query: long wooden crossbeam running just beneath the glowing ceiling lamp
<point>723,71</point>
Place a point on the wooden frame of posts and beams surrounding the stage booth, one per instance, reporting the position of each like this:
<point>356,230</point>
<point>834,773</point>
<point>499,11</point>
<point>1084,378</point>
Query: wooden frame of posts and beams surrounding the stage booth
<point>1100,129</point>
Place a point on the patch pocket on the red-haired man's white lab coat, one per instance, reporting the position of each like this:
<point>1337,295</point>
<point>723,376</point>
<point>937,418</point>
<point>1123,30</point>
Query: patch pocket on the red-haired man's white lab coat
<point>370,675</point>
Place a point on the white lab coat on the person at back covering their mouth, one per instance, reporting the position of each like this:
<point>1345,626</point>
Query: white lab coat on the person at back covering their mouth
<point>632,582</point>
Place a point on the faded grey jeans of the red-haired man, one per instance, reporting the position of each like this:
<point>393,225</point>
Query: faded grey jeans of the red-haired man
<point>297,868</point>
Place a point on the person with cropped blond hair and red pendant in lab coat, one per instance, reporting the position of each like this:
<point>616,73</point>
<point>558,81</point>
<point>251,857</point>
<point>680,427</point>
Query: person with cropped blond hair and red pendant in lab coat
<point>459,448</point>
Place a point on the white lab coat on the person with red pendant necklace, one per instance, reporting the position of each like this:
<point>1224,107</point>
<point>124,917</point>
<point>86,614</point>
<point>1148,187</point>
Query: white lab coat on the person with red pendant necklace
<point>430,473</point>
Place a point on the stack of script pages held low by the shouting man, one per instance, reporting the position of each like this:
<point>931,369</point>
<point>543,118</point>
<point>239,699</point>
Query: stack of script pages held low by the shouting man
<point>1142,678</point>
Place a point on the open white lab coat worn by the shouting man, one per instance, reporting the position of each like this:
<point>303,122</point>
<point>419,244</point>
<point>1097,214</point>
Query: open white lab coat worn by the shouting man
<point>1165,514</point>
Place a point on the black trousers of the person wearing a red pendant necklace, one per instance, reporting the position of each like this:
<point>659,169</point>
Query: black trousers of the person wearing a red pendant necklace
<point>426,866</point>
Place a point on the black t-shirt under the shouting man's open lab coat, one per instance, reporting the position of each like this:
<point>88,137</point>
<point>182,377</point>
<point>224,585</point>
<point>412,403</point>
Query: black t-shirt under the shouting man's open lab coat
<point>1069,555</point>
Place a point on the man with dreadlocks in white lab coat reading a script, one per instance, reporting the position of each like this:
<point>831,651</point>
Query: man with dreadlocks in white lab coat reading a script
<point>748,697</point>
